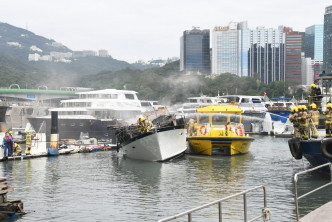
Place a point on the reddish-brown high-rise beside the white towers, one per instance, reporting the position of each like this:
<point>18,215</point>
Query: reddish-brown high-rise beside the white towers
<point>293,47</point>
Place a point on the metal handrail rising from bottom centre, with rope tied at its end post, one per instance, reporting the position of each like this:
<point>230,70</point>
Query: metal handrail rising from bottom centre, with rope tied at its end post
<point>265,212</point>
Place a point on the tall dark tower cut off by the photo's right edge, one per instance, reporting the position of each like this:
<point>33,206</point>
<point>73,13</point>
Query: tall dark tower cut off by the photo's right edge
<point>327,57</point>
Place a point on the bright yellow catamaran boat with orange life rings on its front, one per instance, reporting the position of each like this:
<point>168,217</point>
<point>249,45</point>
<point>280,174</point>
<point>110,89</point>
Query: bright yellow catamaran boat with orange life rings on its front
<point>219,130</point>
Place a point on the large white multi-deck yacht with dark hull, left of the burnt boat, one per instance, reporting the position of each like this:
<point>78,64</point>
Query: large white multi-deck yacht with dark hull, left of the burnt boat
<point>94,112</point>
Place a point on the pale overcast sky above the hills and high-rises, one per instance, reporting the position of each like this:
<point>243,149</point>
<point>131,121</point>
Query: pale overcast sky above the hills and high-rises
<point>149,29</point>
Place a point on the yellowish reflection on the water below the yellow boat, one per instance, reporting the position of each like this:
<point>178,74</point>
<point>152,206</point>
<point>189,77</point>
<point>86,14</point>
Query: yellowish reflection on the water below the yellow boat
<point>218,177</point>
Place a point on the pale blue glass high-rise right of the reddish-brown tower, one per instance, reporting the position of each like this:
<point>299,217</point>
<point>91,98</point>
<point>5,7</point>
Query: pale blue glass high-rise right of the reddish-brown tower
<point>314,42</point>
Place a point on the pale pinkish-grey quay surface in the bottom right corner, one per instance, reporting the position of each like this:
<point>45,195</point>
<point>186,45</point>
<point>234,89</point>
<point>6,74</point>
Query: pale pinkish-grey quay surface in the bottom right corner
<point>321,214</point>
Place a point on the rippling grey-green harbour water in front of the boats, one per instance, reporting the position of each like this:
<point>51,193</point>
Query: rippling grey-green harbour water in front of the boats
<point>104,186</point>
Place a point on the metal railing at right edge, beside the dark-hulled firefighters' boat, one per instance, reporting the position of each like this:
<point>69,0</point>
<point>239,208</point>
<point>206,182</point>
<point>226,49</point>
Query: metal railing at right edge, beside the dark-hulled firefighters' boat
<point>296,176</point>
